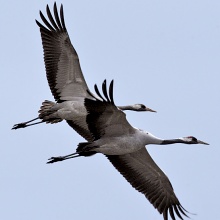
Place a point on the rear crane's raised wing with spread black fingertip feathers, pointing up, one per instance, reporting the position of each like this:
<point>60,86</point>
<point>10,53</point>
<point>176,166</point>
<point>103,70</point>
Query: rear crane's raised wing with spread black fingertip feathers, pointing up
<point>63,69</point>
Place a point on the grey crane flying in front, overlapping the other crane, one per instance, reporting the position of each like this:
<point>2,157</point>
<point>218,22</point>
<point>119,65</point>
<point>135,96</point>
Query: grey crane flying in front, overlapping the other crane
<point>124,146</point>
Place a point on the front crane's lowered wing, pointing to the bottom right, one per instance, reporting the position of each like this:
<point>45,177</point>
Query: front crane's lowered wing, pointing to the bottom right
<point>144,175</point>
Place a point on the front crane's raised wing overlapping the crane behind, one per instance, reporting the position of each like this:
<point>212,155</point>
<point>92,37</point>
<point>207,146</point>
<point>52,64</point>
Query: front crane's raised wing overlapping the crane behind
<point>104,119</point>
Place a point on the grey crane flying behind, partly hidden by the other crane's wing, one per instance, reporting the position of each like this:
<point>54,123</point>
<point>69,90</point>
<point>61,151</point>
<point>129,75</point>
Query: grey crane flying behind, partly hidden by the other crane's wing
<point>64,76</point>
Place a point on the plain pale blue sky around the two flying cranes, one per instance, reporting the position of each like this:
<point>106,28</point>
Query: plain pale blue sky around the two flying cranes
<point>164,54</point>
